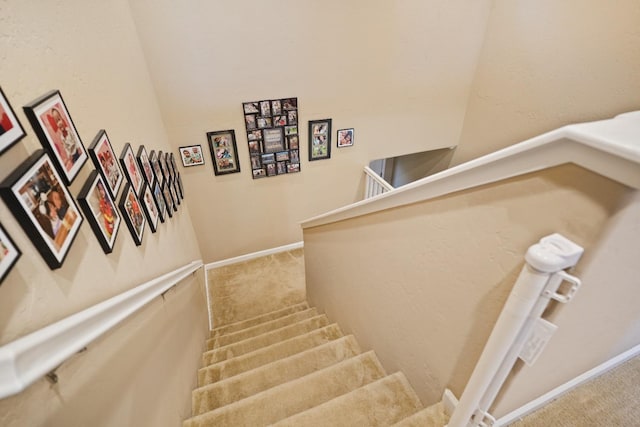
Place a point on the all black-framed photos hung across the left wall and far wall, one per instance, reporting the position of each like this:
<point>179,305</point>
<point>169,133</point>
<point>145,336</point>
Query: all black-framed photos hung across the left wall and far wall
<point>140,187</point>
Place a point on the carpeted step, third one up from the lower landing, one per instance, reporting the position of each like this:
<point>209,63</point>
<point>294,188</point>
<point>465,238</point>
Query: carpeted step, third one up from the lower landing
<point>266,339</point>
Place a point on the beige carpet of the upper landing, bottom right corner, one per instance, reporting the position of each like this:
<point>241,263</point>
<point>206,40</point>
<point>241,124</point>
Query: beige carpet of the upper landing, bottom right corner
<point>611,400</point>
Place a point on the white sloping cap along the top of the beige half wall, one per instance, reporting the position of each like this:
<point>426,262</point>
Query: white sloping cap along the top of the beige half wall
<point>608,147</point>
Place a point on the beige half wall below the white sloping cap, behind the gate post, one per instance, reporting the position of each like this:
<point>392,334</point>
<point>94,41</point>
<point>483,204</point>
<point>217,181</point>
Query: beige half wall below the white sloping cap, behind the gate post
<point>423,284</point>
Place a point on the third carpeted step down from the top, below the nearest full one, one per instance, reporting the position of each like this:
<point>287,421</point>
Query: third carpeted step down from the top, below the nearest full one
<point>295,396</point>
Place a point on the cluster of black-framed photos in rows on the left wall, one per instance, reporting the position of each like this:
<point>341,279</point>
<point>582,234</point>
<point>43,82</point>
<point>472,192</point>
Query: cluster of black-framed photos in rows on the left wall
<point>141,188</point>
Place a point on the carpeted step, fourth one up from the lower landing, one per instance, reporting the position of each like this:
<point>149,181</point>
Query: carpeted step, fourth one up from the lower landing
<point>228,368</point>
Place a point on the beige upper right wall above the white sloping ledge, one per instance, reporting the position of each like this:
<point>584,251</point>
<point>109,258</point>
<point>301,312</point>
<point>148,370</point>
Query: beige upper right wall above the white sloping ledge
<point>545,64</point>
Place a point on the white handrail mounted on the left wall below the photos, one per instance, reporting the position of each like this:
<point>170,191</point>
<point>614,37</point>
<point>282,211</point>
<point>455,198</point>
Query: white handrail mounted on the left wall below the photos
<point>27,359</point>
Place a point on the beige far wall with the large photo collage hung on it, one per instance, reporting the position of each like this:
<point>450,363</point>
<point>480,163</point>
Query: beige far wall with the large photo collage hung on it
<point>398,72</point>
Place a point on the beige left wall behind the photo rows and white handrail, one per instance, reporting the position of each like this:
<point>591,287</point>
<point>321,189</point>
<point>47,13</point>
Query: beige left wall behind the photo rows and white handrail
<point>90,52</point>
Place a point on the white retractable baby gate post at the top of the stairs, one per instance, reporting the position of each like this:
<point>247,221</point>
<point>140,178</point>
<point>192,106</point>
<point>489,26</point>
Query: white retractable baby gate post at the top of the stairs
<point>520,331</point>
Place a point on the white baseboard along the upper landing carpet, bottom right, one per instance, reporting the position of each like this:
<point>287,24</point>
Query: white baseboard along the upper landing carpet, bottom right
<point>566,387</point>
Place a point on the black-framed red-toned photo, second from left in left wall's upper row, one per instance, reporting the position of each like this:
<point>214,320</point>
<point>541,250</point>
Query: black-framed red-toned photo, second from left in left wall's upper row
<point>52,123</point>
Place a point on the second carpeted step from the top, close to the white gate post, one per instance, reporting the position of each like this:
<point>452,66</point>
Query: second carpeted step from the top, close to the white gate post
<point>380,403</point>
